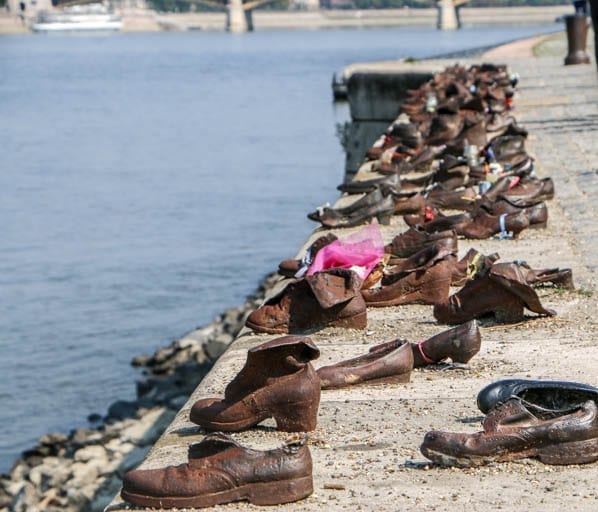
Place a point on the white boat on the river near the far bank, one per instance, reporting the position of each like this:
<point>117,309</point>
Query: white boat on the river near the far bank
<point>78,18</point>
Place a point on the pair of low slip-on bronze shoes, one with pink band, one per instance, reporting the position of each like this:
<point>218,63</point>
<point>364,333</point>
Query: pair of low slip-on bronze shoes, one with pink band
<point>394,360</point>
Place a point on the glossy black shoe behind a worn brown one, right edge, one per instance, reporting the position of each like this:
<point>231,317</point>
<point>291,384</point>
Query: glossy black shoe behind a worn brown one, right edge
<point>549,394</point>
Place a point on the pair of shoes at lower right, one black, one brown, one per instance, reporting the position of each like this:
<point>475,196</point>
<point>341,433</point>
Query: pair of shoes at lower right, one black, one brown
<point>559,427</point>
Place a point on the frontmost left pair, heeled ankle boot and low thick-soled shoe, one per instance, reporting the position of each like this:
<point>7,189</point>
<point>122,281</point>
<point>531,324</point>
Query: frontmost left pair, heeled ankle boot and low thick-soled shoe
<point>277,381</point>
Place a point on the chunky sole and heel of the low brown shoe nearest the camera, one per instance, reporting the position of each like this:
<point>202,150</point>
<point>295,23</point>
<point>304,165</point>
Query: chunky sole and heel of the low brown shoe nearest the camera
<point>269,493</point>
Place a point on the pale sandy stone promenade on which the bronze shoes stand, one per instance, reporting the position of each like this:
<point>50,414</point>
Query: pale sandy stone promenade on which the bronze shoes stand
<point>366,446</point>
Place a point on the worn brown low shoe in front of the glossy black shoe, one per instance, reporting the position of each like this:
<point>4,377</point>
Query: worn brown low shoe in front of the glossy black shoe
<point>561,438</point>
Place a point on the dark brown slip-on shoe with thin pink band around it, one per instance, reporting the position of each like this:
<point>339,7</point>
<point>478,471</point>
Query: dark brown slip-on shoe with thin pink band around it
<point>458,344</point>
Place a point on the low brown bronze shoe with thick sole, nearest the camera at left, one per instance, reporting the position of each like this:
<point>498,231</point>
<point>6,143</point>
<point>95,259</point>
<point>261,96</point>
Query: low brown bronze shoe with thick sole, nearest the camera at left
<point>219,470</point>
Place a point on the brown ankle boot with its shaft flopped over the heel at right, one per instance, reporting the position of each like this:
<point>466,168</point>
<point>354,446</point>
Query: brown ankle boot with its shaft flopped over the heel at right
<point>503,292</point>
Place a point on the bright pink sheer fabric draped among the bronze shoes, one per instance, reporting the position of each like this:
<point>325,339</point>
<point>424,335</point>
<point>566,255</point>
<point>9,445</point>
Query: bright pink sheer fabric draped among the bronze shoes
<point>359,252</point>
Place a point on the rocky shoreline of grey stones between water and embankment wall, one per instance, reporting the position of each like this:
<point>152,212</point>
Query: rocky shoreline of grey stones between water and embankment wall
<point>83,470</point>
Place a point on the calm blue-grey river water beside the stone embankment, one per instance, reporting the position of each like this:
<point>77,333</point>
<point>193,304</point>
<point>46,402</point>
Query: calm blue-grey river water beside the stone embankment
<point>147,182</point>
